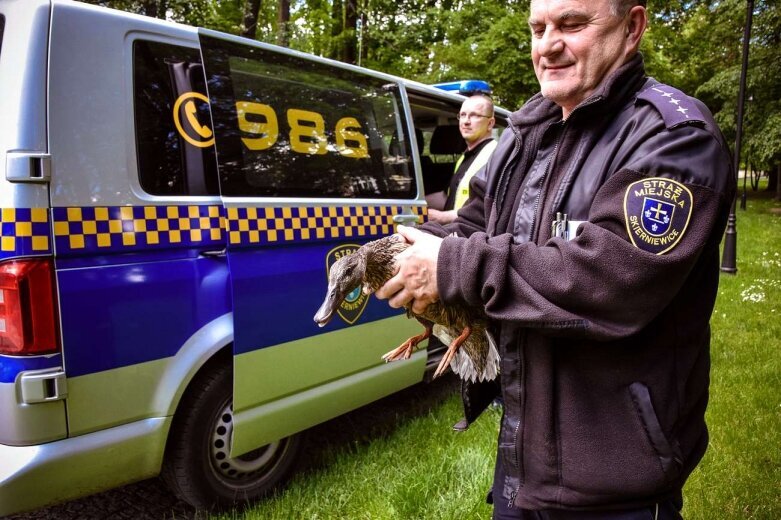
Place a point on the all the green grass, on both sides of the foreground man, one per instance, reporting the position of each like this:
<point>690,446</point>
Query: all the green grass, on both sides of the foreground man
<point>399,458</point>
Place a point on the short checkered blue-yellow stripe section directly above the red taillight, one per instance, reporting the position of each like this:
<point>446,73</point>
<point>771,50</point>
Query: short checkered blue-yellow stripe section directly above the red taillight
<point>24,231</point>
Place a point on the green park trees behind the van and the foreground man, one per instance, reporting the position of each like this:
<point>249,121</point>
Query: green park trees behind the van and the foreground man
<point>695,46</point>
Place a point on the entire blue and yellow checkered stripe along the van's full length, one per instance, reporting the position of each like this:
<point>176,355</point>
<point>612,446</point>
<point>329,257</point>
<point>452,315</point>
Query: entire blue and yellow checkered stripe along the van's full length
<point>87,230</point>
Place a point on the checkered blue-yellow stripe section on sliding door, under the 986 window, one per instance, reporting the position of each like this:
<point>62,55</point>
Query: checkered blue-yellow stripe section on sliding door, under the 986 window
<point>249,226</point>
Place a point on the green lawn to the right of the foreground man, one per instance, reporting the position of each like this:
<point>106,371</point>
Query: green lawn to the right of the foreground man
<point>740,476</point>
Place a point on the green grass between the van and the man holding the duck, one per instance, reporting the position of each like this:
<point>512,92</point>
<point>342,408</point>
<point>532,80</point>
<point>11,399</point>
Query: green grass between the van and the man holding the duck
<point>395,459</point>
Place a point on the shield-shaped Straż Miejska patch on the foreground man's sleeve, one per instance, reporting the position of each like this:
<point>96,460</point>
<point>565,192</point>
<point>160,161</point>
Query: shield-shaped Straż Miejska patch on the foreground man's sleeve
<point>657,213</point>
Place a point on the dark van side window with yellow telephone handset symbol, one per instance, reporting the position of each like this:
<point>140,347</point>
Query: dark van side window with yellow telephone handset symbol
<point>175,151</point>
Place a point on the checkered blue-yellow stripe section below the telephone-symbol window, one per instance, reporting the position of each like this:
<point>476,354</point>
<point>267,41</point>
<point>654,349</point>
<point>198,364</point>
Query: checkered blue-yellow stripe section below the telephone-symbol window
<point>125,228</point>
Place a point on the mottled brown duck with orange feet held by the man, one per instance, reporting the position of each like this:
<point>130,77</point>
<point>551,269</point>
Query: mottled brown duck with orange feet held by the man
<point>471,351</point>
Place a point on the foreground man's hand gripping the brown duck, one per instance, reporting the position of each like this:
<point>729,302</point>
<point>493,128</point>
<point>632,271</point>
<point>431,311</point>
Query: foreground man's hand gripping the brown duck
<point>416,278</point>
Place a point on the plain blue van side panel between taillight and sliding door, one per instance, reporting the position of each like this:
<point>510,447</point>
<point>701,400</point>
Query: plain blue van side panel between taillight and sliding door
<point>109,312</point>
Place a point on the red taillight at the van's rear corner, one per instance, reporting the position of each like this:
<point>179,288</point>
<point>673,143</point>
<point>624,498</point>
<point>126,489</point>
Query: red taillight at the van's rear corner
<point>28,322</point>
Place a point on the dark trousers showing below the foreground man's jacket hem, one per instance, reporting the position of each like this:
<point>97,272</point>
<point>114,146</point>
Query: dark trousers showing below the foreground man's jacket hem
<point>667,510</point>
